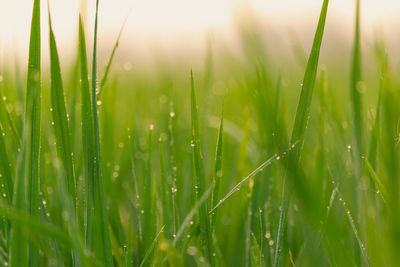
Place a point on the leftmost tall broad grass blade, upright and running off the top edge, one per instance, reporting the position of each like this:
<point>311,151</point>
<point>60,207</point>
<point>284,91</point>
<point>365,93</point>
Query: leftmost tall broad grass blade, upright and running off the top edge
<point>28,168</point>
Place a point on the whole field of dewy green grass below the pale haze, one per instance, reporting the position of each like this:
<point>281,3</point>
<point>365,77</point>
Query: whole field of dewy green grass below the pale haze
<point>231,163</point>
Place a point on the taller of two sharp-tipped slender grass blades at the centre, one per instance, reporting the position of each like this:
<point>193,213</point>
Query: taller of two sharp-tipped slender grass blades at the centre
<point>199,176</point>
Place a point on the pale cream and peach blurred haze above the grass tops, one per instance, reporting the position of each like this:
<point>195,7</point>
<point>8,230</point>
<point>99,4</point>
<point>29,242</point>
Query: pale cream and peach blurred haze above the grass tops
<point>182,28</point>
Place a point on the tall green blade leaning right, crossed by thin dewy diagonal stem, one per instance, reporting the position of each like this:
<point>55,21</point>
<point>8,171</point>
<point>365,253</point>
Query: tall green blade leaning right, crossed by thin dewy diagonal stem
<point>301,120</point>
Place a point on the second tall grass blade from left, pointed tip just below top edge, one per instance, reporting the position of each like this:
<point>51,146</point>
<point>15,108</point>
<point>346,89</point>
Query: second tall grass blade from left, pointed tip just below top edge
<point>60,118</point>
